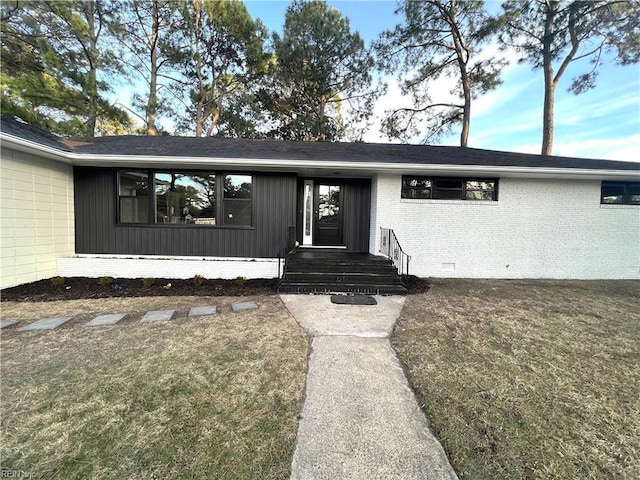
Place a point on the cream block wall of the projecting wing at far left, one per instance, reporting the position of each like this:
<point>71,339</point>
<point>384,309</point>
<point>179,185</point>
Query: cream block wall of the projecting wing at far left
<point>36,216</point>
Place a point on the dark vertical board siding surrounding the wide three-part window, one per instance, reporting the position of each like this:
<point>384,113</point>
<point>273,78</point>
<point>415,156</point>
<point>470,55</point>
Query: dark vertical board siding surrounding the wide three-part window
<point>97,230</point>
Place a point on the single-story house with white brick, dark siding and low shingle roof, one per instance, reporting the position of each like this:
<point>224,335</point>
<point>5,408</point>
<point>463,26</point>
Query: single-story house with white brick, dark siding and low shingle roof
<point>175,207</point>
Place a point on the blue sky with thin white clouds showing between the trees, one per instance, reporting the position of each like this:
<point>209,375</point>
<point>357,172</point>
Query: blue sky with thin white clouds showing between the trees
<point>601,123</point>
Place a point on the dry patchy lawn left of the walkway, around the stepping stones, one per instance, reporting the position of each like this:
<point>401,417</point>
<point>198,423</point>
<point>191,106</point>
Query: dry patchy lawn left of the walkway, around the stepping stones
<point>210,397</point>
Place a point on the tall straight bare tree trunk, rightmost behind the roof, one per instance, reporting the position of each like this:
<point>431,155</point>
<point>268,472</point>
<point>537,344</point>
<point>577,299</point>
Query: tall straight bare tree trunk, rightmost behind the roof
<point>549,83</point>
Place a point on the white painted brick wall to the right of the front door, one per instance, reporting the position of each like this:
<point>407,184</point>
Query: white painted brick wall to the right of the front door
<point>537,229</point>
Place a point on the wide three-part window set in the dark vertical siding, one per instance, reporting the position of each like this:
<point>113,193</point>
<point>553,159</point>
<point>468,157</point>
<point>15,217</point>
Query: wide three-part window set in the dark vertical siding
<point>186,198</point>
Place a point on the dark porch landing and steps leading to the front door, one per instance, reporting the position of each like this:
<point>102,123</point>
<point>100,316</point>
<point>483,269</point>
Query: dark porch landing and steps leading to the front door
<point>335,271</point>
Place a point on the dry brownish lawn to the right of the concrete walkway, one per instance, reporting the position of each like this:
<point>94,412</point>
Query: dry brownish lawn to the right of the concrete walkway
<point>529,379</point>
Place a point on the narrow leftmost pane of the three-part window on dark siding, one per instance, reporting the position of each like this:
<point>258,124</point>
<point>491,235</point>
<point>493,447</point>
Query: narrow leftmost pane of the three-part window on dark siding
<point>133,196</point>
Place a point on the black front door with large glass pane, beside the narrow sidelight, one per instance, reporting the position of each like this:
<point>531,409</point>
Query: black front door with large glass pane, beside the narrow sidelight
<point>328,214</point>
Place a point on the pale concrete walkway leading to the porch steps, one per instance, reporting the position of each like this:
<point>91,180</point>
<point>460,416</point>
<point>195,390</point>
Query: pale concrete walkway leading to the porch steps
<point>360,419</point>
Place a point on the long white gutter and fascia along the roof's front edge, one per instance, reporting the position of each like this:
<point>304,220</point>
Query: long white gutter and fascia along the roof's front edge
<point>93,160</point>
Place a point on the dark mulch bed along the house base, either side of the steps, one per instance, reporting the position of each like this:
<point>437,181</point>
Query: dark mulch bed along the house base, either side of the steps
<point>76,288</point>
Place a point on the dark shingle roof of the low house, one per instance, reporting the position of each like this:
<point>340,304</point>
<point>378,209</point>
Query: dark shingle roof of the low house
<point>209,147</point>
